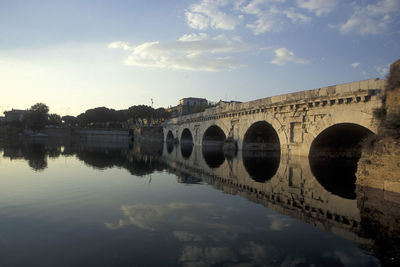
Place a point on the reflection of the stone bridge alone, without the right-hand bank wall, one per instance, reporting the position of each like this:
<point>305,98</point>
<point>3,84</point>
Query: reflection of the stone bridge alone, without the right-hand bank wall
<point>282,184</point>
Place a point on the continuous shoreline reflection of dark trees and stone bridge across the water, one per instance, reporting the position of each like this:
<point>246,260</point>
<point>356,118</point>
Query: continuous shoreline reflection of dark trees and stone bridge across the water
<point>321,193</point>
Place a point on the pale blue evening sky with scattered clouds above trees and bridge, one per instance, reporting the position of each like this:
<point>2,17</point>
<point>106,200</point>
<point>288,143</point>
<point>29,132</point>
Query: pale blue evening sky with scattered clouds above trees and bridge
<point>75,55</point>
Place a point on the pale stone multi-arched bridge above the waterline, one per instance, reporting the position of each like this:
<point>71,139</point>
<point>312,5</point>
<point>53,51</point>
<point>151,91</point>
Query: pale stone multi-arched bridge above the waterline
<point>295,124</point>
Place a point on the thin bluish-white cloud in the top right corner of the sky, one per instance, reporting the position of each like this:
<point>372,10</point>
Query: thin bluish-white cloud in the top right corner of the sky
<point>372,18</point>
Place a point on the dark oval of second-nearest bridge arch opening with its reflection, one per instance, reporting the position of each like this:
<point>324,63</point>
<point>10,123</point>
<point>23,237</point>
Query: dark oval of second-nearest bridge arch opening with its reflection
<point>261,151</point>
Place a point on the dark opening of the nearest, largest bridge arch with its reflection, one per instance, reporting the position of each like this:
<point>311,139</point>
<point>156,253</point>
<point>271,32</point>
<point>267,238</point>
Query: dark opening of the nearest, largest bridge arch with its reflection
<point>334,155</point>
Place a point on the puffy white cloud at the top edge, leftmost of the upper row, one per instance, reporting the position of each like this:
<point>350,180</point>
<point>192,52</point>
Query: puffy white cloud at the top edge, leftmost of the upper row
<point>208,13</point>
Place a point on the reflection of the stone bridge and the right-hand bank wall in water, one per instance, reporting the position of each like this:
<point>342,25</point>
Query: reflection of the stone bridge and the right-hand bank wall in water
<point>320,192</point>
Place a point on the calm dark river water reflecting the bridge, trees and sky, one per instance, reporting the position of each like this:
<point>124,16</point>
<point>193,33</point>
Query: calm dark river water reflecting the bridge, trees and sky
<point>98,204</point>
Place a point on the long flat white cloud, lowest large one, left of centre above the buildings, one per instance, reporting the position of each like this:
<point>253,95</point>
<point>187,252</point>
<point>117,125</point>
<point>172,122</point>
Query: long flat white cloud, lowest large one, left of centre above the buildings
<point>197,52</point>
